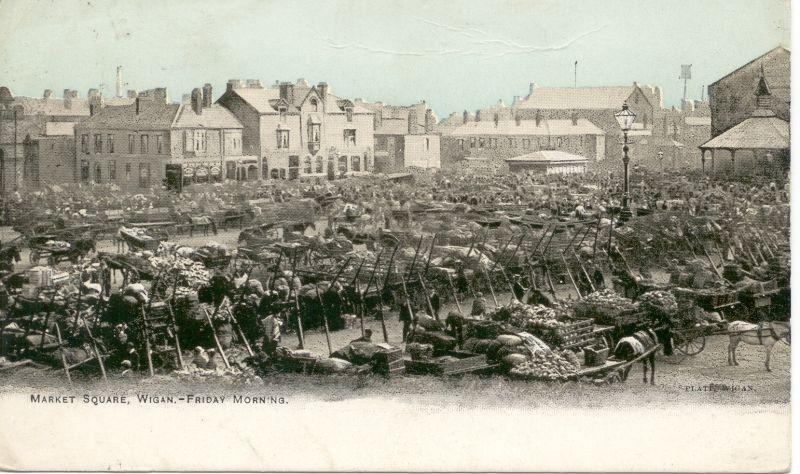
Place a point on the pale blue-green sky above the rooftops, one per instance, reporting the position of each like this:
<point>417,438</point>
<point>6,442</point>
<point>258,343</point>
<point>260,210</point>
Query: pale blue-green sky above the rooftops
<point>455,55</point>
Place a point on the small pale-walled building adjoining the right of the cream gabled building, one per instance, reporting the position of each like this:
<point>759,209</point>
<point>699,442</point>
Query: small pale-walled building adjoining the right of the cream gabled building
<point>404,137</point>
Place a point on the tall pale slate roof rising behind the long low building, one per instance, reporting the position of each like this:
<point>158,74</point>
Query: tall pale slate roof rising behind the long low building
<point>611,97</point>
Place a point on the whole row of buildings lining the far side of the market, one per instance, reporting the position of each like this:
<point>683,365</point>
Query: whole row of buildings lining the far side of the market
<point>296,130</point>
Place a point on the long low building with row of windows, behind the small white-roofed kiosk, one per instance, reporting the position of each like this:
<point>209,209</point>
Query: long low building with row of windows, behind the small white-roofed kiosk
<point>497,141</point>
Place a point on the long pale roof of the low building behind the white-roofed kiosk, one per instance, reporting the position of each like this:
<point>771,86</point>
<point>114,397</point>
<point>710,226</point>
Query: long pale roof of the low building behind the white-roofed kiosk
<point>528,127</point>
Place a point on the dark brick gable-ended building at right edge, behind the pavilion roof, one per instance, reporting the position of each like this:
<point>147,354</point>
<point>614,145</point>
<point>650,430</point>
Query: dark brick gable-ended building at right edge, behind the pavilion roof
<point>731,97</point>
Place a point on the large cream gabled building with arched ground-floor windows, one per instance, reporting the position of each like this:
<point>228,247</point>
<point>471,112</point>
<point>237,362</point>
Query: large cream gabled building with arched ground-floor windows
<point>298,130</point>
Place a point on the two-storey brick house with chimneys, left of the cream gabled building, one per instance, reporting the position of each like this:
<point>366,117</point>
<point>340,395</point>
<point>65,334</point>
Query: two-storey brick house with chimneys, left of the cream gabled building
<point>152,142</point>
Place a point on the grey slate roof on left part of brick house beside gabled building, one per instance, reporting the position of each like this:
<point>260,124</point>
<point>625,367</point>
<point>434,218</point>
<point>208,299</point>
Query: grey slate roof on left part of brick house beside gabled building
<point>151,116</point>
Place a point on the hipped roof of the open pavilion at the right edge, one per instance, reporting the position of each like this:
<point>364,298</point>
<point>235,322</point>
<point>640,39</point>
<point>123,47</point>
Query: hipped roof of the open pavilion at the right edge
<point>771,133</point>
